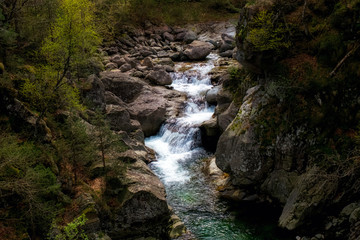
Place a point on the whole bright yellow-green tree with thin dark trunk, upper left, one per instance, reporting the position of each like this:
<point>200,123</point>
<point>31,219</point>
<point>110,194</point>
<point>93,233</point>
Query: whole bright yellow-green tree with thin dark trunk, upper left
<point>71,43</point>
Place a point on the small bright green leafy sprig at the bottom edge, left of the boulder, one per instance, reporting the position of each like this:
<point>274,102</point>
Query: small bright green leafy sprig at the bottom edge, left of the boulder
<point>73,231</point>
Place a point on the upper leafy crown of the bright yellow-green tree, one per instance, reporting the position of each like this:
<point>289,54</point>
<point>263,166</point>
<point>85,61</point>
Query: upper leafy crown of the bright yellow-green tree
<point>73,38</point>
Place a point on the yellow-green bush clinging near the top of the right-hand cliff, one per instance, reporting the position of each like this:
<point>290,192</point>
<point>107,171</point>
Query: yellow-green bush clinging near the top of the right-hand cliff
<point>265,34</point>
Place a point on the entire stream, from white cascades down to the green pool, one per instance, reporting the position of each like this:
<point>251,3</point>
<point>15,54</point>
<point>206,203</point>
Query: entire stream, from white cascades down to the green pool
<point>180,161</point>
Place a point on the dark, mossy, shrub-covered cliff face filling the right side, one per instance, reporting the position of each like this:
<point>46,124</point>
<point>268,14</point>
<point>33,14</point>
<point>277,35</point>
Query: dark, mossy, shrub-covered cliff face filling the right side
<point>294,137</point>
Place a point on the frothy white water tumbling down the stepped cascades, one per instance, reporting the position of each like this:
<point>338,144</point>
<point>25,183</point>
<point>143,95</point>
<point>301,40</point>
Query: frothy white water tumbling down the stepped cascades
<point>179,139</point>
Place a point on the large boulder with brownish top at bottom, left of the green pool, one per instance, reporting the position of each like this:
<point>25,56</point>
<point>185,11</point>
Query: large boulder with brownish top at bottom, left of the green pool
<point>142,210</point>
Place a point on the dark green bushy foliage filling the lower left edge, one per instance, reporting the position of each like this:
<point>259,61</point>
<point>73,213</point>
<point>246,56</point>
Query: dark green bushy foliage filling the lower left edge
<point>26,184</point>
